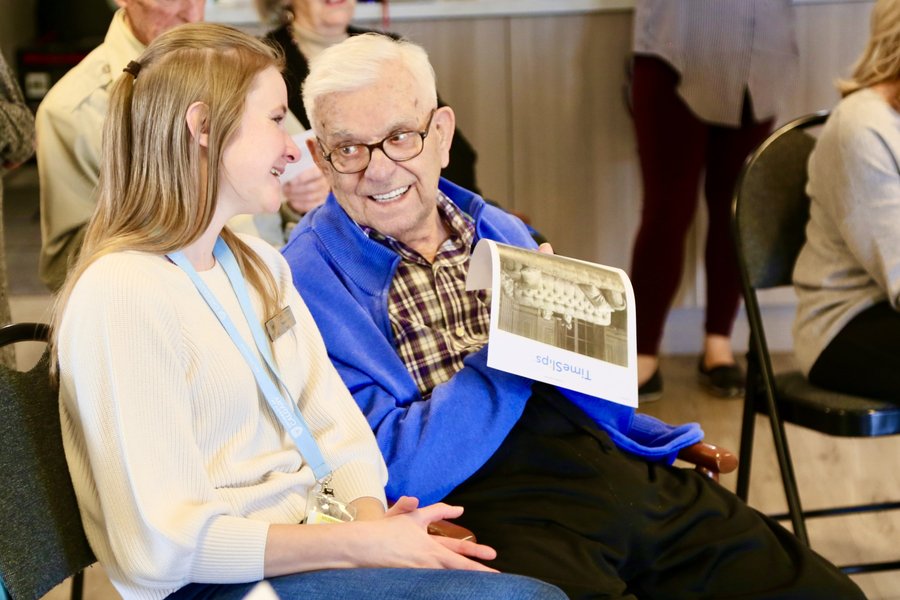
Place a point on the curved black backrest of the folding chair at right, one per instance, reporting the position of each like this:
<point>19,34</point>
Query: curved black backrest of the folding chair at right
<point>771,207</point>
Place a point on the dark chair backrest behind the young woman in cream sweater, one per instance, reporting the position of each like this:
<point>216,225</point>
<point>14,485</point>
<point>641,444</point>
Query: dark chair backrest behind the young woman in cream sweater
<point>42,541</point>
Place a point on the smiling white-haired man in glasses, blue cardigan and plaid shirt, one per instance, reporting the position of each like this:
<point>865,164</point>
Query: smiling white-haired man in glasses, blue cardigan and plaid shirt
<point>568,488</point>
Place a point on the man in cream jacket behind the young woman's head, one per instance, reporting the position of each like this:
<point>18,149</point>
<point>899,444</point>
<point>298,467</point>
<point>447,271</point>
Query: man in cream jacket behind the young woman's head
<point>70,119</point>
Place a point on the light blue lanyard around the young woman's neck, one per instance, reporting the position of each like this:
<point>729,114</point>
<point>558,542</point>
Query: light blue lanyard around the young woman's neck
<point>286,410</point>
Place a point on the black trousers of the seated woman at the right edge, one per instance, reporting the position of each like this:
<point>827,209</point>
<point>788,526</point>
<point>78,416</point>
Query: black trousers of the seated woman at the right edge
<point>864,358</point>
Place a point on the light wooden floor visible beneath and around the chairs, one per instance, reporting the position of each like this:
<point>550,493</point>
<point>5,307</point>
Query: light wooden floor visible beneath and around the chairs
<point>831,471</point>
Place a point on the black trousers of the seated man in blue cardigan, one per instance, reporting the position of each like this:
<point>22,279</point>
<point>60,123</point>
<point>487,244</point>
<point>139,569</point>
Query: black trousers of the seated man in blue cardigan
<point>561,503</point>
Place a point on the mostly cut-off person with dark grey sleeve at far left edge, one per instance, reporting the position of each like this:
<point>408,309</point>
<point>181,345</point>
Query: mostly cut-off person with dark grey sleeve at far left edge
<point>16,146</point>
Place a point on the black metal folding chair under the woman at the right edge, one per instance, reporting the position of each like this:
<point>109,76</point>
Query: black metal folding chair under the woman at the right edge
<point>769,219</point>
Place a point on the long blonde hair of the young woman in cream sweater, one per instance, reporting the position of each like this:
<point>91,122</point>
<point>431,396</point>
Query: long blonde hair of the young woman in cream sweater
<point>150,196</point>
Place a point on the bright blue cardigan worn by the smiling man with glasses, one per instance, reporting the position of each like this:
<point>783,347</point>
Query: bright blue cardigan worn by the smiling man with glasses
<point>432,444</point>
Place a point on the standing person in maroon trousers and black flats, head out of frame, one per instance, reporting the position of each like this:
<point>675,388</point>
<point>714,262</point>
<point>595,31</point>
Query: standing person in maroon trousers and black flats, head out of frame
<point>706,78</point>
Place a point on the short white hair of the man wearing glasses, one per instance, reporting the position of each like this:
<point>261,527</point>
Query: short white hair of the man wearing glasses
<point>360,61</point>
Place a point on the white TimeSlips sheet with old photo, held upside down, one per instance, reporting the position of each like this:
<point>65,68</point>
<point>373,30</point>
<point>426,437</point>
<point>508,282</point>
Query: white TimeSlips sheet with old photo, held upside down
<point>559,320</point>
